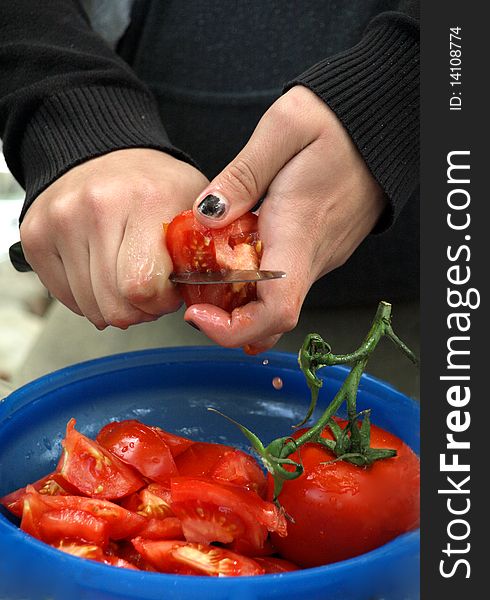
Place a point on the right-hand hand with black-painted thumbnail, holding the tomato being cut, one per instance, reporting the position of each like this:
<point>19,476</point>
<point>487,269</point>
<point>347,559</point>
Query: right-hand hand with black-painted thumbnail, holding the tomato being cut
<point>321,201</point>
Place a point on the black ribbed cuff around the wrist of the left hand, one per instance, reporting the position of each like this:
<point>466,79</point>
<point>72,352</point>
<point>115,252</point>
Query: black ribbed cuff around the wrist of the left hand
<point>84,123</point>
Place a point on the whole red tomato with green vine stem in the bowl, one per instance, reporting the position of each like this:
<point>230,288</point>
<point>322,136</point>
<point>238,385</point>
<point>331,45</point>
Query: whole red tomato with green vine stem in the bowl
<point>341,510</point>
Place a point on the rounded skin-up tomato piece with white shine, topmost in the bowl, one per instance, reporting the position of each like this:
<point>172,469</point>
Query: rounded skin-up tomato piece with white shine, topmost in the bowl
<point>140,446</point>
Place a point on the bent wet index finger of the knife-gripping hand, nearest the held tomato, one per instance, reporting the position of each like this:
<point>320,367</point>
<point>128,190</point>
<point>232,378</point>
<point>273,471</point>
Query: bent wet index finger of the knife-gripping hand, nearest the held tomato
<point>143,268</point>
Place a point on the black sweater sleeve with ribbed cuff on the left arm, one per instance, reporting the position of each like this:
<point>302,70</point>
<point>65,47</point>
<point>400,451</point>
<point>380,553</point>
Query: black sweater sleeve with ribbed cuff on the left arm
<point>65,96</point>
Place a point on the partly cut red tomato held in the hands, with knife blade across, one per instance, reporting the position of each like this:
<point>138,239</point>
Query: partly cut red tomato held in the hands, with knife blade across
<point>194,247</point>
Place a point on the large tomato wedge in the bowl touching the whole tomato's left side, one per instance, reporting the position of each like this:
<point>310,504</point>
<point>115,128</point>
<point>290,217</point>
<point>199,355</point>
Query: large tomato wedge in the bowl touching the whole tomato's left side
<point>217,512</point>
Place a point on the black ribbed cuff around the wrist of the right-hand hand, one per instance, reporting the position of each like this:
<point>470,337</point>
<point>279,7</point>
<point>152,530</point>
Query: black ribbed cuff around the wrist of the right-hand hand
<point>374,90</point>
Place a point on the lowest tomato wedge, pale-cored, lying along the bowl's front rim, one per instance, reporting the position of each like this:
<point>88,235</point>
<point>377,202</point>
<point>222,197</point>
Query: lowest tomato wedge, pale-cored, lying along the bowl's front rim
<point>195,559</point>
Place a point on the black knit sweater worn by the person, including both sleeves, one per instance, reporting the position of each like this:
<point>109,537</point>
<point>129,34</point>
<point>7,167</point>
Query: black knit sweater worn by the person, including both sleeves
<point>193,79</point>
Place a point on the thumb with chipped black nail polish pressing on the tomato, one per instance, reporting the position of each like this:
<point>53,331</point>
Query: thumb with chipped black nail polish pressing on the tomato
<point>239,187</point>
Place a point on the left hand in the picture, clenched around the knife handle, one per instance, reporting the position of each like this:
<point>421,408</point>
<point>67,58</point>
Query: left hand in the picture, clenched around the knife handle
<point>95,237</point>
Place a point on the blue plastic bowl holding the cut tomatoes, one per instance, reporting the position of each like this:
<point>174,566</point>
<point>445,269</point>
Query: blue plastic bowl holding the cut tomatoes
<point>172,387</point>
